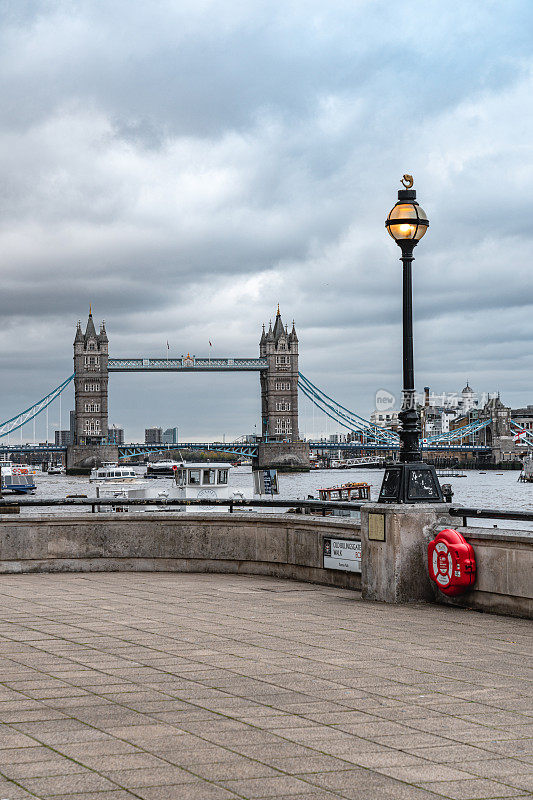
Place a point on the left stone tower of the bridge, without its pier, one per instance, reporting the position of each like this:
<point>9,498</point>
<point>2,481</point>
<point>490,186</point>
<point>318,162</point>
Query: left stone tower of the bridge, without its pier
<point>90,384</point>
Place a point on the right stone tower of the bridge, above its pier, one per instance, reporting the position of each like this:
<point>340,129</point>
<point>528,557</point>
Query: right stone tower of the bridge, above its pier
<point>279,383</point>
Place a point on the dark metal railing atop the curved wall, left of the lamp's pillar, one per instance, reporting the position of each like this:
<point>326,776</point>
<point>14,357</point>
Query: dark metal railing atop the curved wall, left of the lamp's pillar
<point>312,506</point>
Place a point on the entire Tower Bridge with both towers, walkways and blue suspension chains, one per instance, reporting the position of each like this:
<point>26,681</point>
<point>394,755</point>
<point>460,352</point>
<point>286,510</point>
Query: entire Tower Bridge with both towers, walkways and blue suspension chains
<point>490,431</point>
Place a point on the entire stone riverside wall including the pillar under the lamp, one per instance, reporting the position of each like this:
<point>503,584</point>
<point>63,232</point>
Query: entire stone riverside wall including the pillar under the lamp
<point>394,568</point>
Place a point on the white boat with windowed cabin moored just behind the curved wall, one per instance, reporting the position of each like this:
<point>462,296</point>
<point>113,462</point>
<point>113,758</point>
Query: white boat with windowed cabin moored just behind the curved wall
<point>195,481</point>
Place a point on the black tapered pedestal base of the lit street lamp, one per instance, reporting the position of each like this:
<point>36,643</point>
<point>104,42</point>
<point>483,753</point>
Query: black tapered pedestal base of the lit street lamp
<point>411,482</point>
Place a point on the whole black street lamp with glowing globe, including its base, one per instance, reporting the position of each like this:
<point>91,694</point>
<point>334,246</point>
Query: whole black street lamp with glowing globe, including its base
<point>410,480</point>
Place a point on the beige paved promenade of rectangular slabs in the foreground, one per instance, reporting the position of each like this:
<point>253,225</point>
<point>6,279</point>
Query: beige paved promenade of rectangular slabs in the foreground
<point>211,687</point>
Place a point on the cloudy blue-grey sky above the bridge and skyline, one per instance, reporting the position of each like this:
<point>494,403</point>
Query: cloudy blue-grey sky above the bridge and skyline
<point>183,166</point>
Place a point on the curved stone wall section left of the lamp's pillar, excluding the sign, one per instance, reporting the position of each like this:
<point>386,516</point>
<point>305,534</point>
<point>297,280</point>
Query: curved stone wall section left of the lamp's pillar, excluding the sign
<point>281,545</point>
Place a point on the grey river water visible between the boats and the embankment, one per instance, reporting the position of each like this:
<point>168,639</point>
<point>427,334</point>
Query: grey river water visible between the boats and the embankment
<point>491,489</point>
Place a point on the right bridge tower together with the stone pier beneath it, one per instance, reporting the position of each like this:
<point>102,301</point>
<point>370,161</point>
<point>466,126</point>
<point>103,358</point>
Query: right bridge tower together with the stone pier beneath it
<point>281,446</point>
